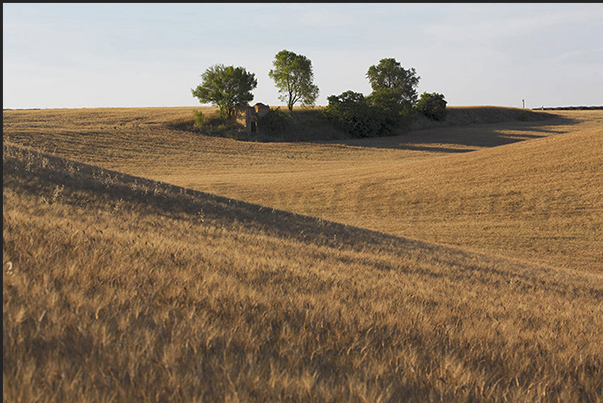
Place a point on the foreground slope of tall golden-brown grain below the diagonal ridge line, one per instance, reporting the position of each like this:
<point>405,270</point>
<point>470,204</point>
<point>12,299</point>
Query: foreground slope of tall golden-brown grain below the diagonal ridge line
<point>118,288</point>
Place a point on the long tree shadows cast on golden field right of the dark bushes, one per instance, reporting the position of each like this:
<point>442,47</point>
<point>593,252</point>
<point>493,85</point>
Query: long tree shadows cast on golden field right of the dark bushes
<point>464,138</point>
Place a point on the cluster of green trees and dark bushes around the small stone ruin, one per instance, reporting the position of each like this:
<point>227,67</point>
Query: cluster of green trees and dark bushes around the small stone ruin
<point>393,102</point>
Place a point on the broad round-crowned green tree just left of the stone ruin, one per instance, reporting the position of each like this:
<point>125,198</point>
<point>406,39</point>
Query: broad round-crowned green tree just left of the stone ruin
<point>226,87</point>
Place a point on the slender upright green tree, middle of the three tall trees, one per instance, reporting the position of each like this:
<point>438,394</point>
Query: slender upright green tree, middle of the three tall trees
<point>294,78</point>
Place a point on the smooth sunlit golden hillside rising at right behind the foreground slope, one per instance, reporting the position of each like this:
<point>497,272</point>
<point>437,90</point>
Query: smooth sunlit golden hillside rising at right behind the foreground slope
<point>540,199</point>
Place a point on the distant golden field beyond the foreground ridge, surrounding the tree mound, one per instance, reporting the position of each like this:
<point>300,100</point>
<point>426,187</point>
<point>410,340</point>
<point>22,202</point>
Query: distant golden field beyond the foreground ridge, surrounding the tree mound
<point>523,187</point>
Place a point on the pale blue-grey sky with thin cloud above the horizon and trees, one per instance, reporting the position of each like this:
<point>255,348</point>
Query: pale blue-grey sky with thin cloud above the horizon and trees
<point>88,55</point>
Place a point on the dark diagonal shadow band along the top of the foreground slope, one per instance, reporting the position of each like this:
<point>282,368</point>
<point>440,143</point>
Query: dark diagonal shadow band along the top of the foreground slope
<point>32,172</point>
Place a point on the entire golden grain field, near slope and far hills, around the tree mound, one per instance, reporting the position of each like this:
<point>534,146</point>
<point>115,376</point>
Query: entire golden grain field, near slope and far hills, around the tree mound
<point>482,281</point>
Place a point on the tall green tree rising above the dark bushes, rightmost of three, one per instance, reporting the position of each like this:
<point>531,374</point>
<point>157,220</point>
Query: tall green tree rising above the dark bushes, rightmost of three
<point>389,80</point>
